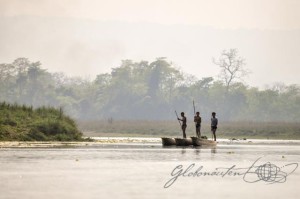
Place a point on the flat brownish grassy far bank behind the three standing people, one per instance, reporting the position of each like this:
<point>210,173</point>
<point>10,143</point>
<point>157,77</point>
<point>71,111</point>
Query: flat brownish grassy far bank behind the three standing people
<point>267,130</point>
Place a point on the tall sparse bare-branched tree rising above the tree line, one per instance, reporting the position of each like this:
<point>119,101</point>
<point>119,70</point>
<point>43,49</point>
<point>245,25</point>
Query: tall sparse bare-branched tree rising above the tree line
<point>232,67</point>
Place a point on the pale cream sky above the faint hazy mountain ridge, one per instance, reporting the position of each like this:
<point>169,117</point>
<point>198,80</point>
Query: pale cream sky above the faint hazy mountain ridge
<point>262,14</point>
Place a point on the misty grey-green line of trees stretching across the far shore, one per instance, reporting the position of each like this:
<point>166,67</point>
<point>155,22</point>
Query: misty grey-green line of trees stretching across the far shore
<point>150,91</point>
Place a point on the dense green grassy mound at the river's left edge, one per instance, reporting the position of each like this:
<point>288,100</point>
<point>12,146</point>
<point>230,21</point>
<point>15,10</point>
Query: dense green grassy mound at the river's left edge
<point>23,123</point>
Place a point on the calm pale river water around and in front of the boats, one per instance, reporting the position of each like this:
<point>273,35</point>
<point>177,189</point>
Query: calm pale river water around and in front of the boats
<point>144,170</point>
